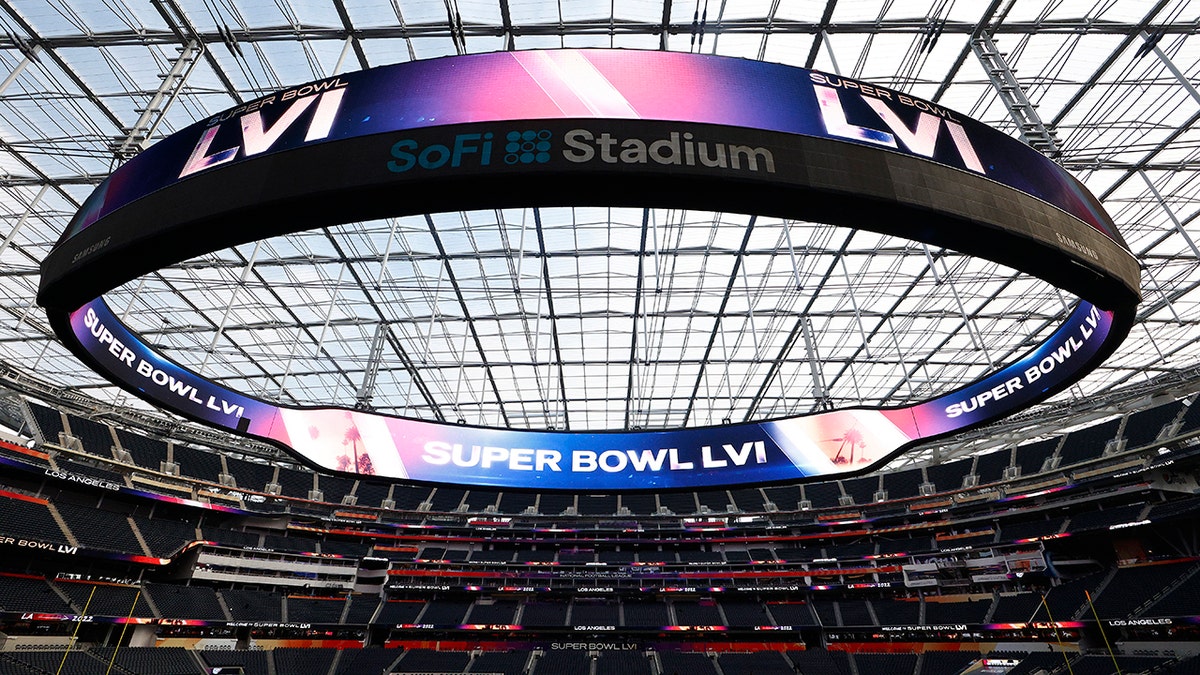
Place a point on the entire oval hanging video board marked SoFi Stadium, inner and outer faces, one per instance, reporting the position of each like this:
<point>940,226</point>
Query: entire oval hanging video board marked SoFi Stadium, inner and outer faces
<point>591,128</point>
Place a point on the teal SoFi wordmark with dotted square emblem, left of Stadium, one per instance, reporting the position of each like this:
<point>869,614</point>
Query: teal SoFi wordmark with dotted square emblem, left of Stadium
<point>526,147</point>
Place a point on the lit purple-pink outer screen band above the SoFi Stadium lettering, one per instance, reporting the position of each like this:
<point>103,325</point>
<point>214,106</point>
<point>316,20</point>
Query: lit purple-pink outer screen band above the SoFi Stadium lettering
<point>591,85</point>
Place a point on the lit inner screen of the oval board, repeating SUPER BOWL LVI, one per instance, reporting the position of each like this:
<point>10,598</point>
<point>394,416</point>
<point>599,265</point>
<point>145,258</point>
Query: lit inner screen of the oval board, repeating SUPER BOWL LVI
<point>371,445</point>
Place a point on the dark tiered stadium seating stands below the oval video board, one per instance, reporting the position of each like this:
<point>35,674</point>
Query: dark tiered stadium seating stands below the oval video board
<point>848,539</point>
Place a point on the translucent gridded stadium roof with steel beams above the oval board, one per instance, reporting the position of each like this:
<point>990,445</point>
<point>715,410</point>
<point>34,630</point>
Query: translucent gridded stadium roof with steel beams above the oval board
<point>562,318</point>
